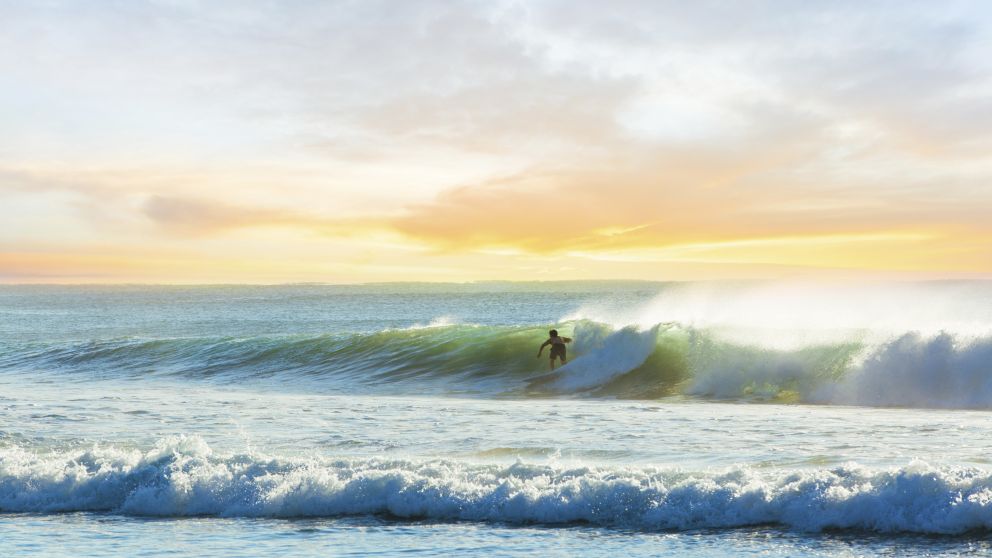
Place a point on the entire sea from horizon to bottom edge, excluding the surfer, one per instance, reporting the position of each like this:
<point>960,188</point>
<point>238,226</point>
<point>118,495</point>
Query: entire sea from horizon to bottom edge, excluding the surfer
<point>693,419</point>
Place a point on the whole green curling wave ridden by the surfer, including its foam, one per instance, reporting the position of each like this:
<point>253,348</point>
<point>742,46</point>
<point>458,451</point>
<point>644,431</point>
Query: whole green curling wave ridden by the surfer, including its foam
<point>911,369</point>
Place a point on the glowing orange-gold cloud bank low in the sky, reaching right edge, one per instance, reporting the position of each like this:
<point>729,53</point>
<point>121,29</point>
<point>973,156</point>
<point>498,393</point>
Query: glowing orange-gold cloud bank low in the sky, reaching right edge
<point>722,208</point>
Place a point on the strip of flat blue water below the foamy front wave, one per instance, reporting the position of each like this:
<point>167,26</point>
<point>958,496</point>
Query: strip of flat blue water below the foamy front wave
<point>111,535</point>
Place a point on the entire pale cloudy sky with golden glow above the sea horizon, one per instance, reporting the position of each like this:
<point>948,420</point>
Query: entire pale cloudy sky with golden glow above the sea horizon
<point>178,141</point>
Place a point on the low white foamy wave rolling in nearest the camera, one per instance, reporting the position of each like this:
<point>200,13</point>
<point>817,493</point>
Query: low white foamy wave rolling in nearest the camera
<point>183,477</point>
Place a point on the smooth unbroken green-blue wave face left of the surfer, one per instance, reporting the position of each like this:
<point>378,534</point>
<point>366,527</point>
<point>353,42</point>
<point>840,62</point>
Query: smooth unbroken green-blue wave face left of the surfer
<point>447,353</point>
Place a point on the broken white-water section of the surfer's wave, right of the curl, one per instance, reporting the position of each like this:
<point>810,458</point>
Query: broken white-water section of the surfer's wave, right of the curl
<point>912,370</point>
